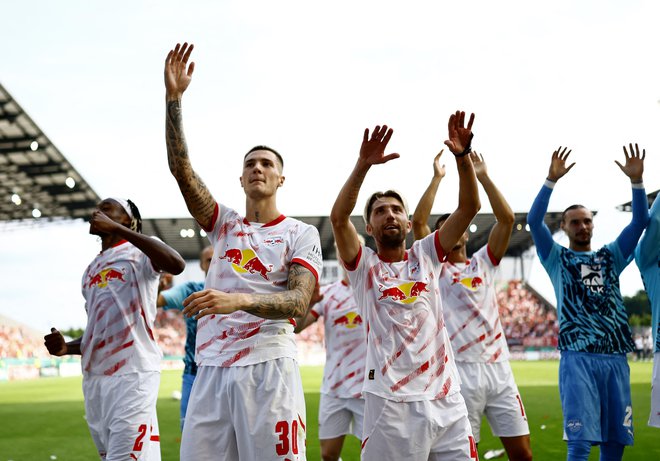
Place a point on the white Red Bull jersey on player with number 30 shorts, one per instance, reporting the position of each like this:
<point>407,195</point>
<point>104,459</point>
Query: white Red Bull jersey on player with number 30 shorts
<point>253,258</point>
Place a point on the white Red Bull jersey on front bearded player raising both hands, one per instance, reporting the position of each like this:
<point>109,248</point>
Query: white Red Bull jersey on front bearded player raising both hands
<point>409,357</point>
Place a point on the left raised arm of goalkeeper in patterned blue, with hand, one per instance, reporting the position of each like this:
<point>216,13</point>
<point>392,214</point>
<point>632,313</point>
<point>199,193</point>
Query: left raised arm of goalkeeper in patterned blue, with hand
<point>540,232</point>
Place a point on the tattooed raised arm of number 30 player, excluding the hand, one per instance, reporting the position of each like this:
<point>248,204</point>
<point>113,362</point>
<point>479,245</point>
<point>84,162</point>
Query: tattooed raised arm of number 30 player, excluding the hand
<point>199,200</point>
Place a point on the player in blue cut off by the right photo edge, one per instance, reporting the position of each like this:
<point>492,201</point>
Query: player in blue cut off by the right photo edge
<point>647,257</point>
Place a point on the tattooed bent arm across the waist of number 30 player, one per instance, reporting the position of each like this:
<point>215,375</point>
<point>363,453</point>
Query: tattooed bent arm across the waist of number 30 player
<point>288,304</point>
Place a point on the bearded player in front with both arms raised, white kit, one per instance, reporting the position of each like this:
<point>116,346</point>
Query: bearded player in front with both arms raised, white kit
<point>413,407</point>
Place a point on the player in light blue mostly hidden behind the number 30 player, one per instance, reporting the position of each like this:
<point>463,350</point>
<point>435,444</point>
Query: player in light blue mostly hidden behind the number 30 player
<point>173,299</point>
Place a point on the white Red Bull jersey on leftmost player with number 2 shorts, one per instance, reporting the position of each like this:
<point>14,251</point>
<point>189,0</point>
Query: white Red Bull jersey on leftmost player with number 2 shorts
<point>120,288</point>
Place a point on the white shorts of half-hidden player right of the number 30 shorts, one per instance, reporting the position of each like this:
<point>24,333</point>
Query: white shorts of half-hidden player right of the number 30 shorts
<point>338,416</point>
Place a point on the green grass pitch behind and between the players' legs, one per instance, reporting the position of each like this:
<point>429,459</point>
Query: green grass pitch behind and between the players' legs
<point>44,418</point>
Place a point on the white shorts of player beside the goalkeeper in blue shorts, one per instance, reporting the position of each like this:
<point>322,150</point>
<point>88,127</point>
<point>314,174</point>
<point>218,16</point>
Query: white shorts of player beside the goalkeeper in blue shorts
<point>489,389</point>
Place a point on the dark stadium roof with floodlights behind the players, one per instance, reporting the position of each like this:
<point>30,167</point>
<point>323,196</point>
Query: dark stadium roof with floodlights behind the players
<point>35,175</point>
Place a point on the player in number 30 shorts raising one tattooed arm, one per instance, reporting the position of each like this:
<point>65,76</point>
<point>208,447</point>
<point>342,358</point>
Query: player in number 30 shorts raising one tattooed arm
<point>247,401</point>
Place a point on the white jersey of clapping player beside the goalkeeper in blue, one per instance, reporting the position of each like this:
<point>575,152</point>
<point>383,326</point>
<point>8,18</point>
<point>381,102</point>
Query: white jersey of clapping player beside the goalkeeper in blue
<point>471,311</point>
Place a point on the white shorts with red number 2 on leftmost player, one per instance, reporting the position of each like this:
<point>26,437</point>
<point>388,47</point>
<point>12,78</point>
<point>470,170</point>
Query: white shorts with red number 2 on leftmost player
<point>121,415</point>
